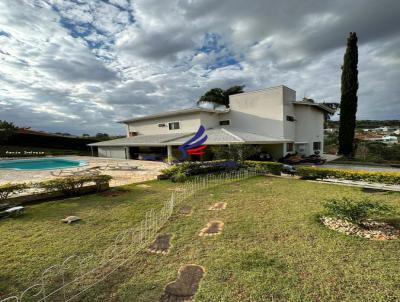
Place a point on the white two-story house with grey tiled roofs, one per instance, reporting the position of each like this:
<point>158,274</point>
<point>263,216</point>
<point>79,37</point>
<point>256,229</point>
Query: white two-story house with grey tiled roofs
<point>270,118</point>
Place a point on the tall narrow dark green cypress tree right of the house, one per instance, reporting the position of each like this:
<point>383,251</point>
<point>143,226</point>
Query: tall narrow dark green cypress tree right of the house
<point>348,103</point>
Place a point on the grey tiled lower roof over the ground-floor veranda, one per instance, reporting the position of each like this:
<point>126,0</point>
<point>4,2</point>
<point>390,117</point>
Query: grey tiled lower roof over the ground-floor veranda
<point>215,136</point>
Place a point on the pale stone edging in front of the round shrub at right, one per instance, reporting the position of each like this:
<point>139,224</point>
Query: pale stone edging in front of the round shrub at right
<point>368,229</point>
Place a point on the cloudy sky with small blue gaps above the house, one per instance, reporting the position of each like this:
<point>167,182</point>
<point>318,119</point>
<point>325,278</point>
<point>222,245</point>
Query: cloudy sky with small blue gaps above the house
<point>79,66</point>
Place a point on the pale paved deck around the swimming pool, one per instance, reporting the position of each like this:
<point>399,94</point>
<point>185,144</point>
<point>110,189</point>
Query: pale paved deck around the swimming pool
<point>147,170</point>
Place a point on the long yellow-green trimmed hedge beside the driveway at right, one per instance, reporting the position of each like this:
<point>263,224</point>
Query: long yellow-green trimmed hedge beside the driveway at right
<point>392,178</point>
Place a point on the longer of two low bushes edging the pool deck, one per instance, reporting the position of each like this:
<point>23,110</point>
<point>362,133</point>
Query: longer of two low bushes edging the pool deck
<point>72,185</point>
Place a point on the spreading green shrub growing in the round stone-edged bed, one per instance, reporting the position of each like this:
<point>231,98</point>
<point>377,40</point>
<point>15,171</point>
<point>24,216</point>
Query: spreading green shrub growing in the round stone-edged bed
<point>355,211</point>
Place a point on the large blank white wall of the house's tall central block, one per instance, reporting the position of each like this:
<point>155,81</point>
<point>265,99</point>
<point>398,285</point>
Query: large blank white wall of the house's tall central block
<point>259,112</point>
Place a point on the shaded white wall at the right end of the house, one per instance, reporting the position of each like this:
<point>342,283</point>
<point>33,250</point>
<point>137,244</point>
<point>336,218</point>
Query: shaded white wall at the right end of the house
<point>309,126</point>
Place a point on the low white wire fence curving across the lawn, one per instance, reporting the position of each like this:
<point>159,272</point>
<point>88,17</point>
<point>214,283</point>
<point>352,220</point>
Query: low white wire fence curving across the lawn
<point>68,280</point>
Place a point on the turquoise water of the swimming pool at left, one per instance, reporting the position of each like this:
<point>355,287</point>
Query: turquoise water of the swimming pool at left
<point>40,164</point>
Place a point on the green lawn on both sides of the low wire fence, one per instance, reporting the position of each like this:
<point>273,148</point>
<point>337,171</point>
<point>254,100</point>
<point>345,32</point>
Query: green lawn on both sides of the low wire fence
<point>272,247</point>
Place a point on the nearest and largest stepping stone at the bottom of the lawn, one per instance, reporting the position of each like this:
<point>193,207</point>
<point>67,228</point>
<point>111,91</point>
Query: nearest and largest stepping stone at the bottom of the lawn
<point>185,286</point>
